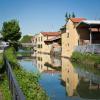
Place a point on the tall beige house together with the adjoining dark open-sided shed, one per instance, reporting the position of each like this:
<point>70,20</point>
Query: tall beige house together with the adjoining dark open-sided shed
<point>79,31</point>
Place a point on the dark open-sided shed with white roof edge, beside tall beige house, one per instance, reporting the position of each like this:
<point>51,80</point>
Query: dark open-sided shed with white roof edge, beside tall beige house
<point>89,32</point>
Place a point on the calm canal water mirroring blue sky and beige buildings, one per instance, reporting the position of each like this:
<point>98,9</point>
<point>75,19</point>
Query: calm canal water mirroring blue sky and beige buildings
<point>63,80</point>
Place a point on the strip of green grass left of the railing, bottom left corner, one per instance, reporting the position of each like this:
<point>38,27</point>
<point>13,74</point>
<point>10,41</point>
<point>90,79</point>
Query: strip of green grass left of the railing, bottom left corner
<point>5,88</point>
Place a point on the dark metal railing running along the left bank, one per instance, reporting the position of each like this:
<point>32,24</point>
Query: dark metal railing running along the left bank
<point>16,92</point>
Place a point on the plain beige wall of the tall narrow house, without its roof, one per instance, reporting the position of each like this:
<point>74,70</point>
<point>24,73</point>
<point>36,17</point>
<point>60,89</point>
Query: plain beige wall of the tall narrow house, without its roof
<point>69,39</point>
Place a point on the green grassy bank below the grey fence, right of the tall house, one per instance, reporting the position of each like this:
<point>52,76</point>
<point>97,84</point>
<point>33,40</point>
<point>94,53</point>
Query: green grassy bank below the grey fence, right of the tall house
<point>85,58</point>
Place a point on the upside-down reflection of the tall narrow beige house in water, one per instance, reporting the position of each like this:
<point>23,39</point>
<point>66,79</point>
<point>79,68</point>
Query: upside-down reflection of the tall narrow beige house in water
<point>69,77</point>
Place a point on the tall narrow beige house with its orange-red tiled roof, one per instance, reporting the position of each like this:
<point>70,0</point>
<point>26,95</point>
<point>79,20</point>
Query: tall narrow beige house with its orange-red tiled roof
<point>69,36</point>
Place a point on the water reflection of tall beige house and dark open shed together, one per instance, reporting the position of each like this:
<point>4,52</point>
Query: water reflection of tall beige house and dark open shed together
<point>79,82</point>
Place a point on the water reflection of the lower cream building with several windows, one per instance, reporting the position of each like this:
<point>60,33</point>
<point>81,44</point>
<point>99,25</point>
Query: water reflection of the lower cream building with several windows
<point>45,63</point>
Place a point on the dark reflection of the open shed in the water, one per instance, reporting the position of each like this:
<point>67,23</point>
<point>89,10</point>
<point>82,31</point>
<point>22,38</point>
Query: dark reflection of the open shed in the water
<point>88,89</point>
